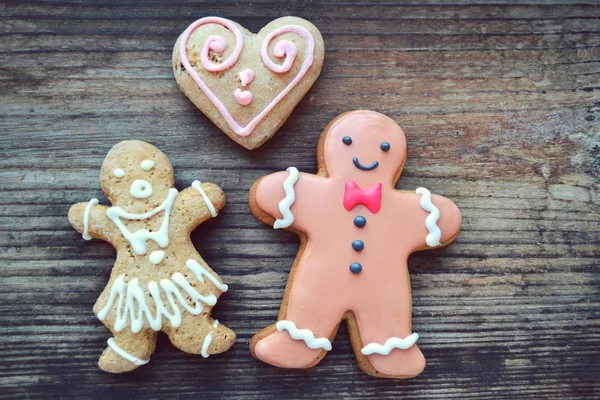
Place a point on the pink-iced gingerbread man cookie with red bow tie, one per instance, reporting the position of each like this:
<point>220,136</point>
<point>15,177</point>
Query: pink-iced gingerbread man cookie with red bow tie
<point>356,234</point>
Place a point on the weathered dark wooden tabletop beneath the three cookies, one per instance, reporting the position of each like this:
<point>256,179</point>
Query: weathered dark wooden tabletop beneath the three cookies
<point>500,104</point>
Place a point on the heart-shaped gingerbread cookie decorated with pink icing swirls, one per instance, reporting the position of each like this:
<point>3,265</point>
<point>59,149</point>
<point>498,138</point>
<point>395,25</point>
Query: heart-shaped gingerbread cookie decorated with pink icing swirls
<point>248,84</point>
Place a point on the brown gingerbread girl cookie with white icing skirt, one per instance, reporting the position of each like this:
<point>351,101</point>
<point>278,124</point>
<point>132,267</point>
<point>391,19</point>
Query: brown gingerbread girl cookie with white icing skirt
<point>159,281</point>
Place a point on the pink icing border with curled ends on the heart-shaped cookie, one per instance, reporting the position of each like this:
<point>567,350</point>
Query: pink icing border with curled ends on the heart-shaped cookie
<point>218,44</point>
